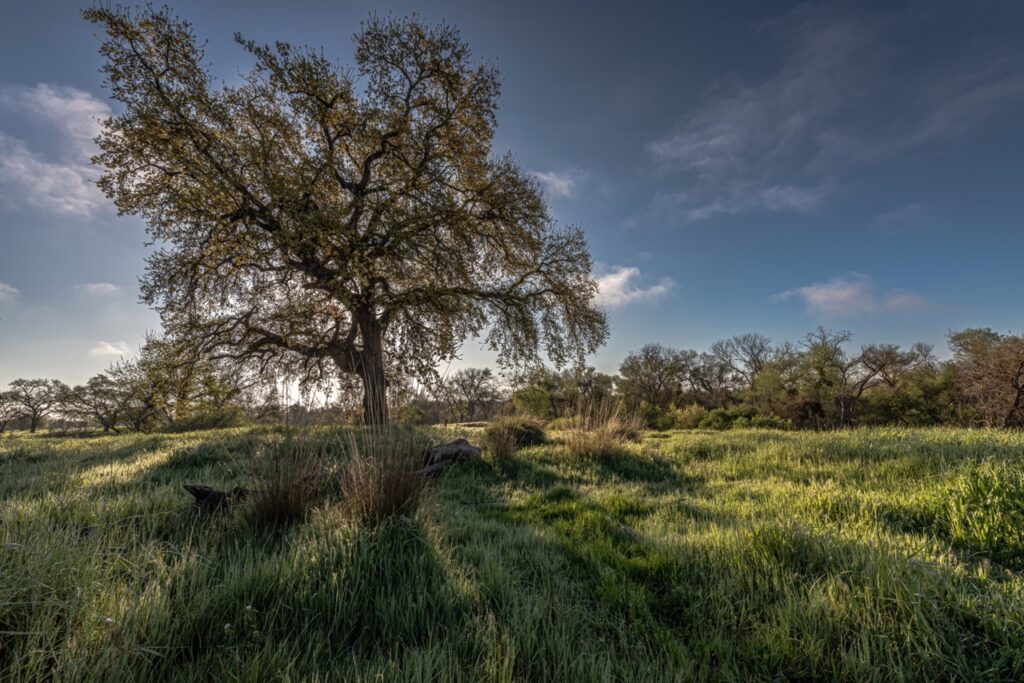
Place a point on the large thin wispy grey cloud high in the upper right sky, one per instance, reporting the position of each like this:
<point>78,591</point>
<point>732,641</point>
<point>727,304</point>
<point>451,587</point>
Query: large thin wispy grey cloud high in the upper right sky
<point>786,143</point>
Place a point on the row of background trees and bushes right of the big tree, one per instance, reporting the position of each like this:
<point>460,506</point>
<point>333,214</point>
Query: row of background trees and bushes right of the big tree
<point>822,382</point>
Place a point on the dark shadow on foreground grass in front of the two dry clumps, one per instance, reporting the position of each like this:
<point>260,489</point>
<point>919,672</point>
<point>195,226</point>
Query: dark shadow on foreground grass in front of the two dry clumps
<point>366,604</point>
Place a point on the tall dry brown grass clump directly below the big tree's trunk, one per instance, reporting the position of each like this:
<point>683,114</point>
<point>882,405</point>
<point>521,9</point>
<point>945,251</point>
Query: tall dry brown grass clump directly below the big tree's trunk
<point>381,478</point>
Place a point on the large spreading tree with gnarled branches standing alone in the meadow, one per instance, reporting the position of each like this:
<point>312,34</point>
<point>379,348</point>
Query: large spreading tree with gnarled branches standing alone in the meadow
<point>333,221</point>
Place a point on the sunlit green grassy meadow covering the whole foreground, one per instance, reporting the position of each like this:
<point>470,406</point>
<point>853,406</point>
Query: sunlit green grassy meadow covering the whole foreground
<point>881,554</point>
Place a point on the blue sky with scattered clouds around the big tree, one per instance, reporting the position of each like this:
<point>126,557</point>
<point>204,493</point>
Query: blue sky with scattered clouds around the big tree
<point>739,167</point>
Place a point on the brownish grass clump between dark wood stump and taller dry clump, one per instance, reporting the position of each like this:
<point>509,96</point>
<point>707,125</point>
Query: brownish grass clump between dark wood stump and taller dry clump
<point>290,476</point>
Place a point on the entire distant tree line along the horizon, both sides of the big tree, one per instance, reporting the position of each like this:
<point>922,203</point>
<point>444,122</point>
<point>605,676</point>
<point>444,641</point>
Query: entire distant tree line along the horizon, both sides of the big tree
<point>822,382</point>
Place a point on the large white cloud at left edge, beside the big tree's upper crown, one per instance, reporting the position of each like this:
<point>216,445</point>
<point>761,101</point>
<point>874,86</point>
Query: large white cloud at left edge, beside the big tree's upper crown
<point>64,184</point>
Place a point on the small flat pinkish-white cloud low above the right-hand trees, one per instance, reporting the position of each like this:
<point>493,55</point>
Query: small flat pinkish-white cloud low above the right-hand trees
<point>851,295</point>
